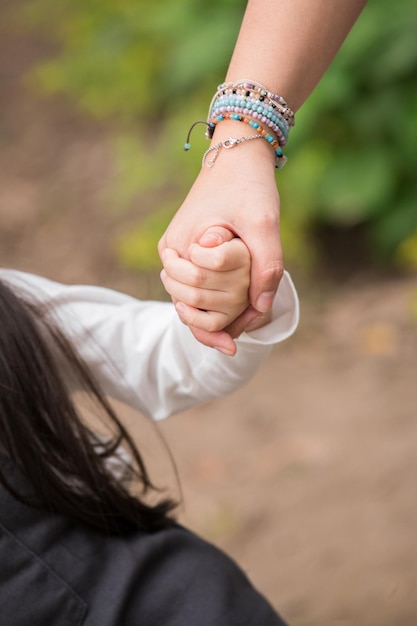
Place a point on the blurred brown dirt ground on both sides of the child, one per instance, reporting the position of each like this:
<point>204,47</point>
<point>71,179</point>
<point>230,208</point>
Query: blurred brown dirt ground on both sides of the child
<point>307,476</point>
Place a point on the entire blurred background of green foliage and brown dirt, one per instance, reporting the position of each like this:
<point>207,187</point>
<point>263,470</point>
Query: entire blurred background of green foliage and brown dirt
<point>306,476</point>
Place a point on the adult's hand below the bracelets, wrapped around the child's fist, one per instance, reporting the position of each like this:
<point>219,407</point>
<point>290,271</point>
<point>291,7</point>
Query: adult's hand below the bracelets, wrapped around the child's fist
<point>239,193</point>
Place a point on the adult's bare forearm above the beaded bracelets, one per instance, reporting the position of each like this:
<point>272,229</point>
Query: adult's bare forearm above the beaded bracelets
<point>288,44</point>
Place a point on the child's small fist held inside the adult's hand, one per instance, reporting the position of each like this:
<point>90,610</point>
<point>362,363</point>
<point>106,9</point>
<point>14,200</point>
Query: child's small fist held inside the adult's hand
<point>211,289</point>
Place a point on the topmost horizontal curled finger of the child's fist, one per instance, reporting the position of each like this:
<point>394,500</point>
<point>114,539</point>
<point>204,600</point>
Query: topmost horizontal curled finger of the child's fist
<point>226,257</point>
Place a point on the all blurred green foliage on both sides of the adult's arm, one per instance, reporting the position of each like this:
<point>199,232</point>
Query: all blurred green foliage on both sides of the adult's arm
<point>152,68</point>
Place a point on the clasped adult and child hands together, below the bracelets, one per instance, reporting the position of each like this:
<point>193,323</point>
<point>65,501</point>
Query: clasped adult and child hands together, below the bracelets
<point>226,283</point>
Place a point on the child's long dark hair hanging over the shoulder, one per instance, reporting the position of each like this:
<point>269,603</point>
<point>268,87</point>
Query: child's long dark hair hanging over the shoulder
<point>47,440</point>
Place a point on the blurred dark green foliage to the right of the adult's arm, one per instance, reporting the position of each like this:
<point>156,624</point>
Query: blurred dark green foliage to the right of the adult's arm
<point>361,126</point>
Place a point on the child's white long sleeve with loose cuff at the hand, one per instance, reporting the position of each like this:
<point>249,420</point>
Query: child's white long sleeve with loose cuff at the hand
<point>141,353</point>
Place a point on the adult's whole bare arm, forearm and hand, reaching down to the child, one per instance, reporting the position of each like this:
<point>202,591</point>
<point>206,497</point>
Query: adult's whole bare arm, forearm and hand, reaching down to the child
<point>286,45</point>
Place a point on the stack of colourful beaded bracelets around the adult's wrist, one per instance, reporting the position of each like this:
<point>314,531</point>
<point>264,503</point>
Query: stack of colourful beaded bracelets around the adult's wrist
<point>251,103</point>
